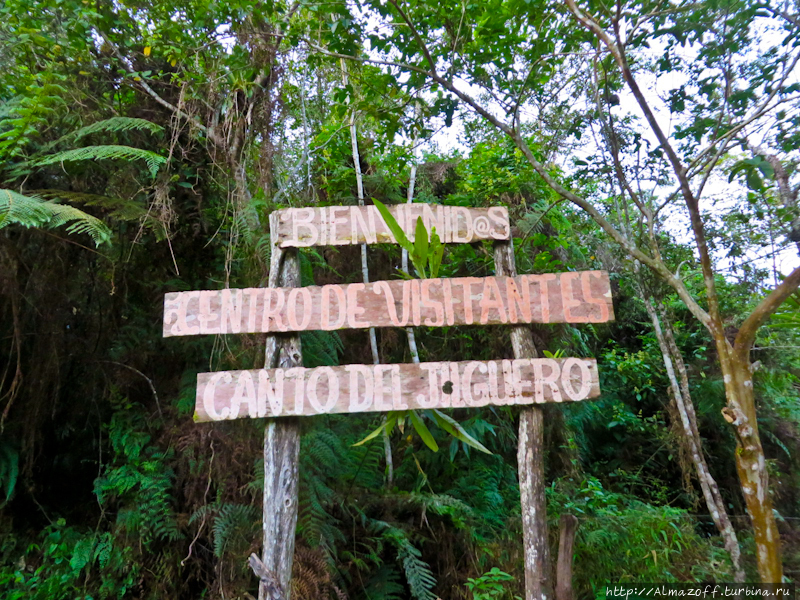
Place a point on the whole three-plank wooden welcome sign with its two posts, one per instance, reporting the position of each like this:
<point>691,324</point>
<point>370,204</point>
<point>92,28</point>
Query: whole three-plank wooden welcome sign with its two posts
<point>283,390</point>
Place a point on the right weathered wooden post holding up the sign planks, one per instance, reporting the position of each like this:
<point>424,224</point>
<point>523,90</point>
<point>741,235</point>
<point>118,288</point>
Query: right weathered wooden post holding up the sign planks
<point>530,456</point>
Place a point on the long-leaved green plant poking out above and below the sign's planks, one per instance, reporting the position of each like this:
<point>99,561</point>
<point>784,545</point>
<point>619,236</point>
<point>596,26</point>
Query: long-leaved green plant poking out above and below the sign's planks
<point>426,255</point>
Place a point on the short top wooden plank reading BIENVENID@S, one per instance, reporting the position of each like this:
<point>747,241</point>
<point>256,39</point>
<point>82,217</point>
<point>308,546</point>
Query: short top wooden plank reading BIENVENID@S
<point>348,225</point>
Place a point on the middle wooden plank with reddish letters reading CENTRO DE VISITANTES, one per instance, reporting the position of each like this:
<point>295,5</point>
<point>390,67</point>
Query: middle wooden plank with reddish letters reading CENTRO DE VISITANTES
<point>578,297</point>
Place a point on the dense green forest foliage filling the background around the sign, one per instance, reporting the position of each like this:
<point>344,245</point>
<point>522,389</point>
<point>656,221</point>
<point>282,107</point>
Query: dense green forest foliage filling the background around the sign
<point>143,146</point>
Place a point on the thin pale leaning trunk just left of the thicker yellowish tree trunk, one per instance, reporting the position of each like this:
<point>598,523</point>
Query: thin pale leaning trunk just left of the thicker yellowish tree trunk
<point>683,400</point>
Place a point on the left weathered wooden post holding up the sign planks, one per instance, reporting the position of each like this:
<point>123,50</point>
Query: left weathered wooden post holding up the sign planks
<point>281,446</point>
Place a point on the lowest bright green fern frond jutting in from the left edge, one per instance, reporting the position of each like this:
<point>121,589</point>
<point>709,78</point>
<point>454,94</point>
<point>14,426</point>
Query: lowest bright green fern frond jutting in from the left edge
<point>32,211</point>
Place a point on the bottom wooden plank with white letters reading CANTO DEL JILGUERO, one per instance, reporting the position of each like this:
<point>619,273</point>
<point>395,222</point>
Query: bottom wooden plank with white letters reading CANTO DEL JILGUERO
<point>226,395</point>
